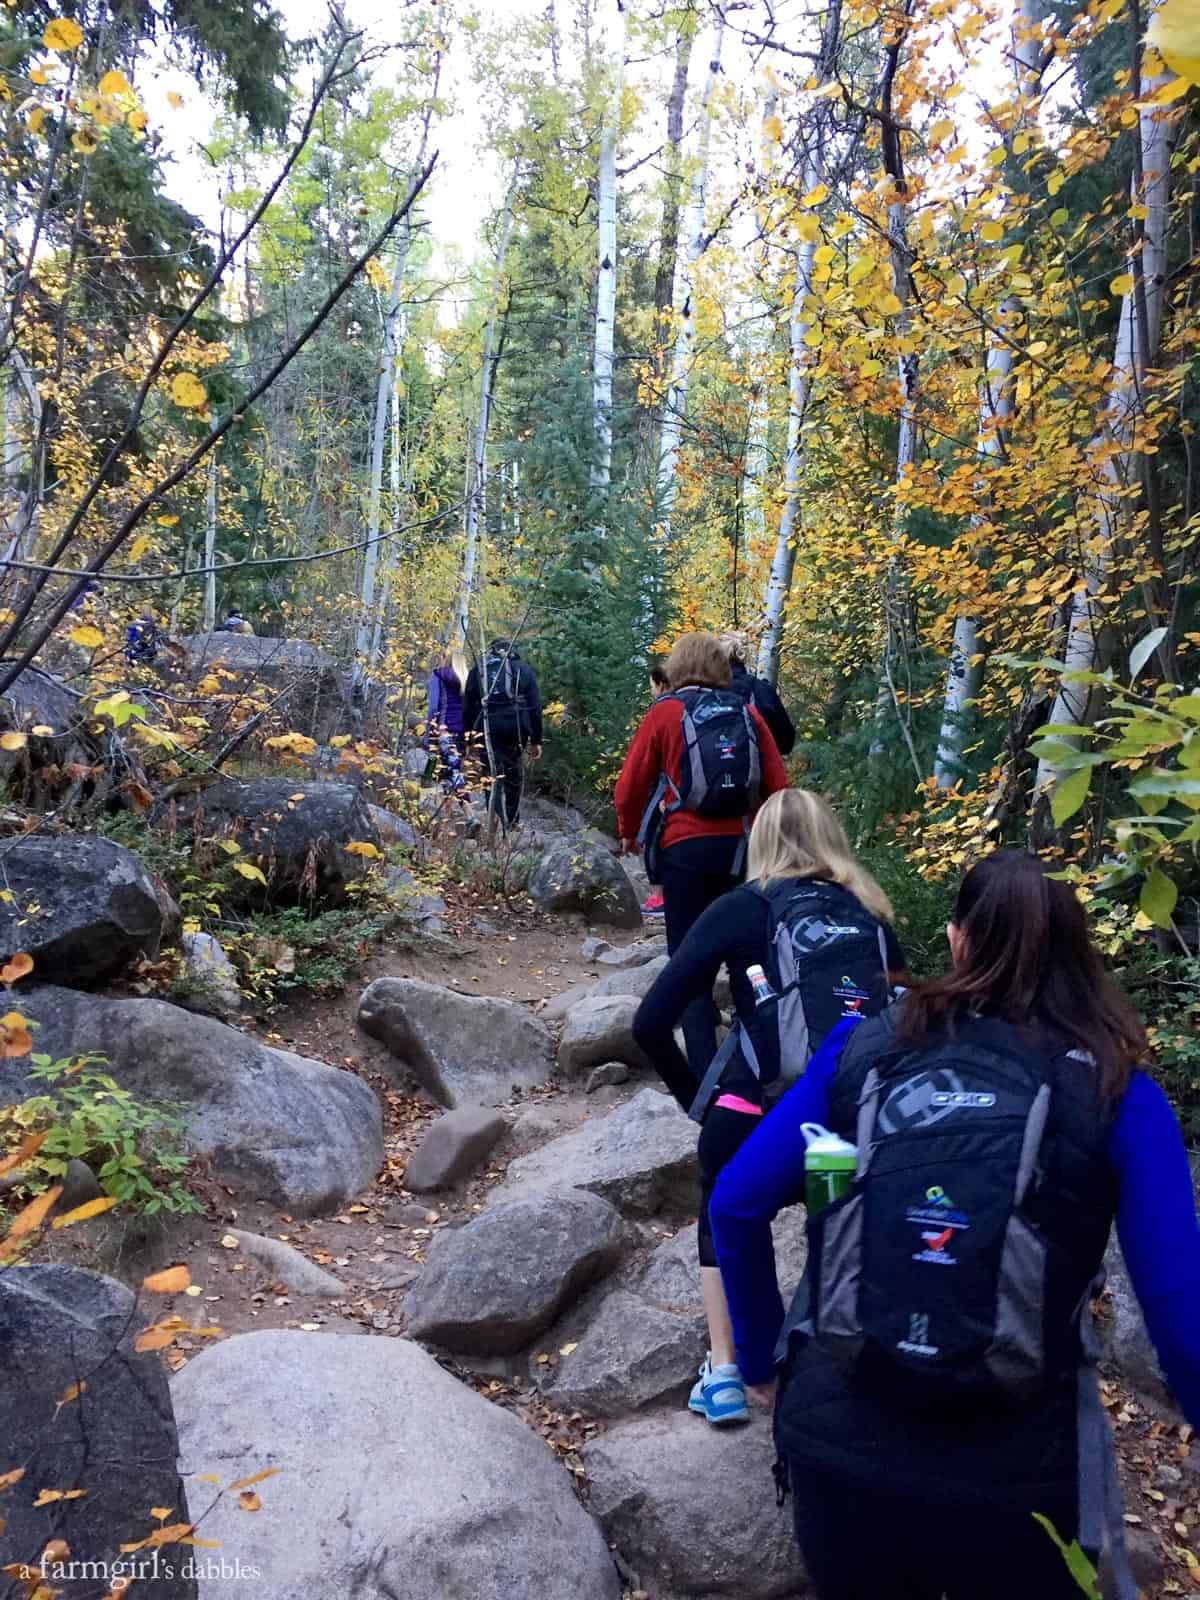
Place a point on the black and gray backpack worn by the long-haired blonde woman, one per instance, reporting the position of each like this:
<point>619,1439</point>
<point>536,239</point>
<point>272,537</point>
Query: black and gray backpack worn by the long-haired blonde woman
<point>828,959</point>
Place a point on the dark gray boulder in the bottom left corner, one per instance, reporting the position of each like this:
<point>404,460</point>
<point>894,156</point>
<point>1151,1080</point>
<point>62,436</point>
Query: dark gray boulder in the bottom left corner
<point>116,1441</point>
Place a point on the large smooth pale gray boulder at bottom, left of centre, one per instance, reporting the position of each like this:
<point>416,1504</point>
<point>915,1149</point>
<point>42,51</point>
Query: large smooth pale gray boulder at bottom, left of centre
<point>396,1479</point>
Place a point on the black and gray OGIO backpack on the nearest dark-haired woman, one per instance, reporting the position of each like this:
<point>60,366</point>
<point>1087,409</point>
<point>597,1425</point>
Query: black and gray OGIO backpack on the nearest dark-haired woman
<point>946,1263</point>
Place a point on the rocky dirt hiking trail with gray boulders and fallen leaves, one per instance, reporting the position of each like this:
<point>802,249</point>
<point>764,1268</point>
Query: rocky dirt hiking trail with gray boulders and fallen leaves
<point>449,1289</point>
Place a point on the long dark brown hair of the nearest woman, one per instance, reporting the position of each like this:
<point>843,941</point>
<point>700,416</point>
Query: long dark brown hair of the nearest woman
<point>1026,956</point>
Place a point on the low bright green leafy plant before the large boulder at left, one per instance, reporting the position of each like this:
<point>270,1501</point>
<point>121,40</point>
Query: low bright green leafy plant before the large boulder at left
<point>135,1148</point>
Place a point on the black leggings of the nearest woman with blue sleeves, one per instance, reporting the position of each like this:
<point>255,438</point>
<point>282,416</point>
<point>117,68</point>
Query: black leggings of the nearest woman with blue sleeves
<point>866,1545</point>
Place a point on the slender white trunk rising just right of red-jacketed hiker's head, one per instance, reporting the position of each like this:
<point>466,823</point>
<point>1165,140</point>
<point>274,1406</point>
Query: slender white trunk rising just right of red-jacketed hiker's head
<point>799,382</point>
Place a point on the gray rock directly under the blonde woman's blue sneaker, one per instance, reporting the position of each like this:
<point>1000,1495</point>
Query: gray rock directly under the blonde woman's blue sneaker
<point>692,1508</point>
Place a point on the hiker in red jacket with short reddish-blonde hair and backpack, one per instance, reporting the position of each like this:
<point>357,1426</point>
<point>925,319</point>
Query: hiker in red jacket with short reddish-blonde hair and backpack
<point>700,767</point>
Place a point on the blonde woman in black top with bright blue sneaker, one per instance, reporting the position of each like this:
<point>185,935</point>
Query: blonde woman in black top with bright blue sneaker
<point>791,985</point>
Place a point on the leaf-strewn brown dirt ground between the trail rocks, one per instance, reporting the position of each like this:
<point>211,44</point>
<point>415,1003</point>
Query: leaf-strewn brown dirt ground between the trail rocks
<point>378,1244</point>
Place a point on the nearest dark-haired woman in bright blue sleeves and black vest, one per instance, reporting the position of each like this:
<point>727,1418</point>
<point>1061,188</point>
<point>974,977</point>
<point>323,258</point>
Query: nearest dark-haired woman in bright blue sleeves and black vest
<point>935,1393</point>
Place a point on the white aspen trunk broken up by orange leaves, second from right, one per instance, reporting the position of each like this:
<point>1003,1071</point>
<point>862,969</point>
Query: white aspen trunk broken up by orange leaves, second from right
<point>966,668</point>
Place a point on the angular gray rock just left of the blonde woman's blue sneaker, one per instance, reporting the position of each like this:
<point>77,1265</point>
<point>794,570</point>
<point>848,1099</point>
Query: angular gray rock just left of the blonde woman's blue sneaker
<point>628,1356</point>
